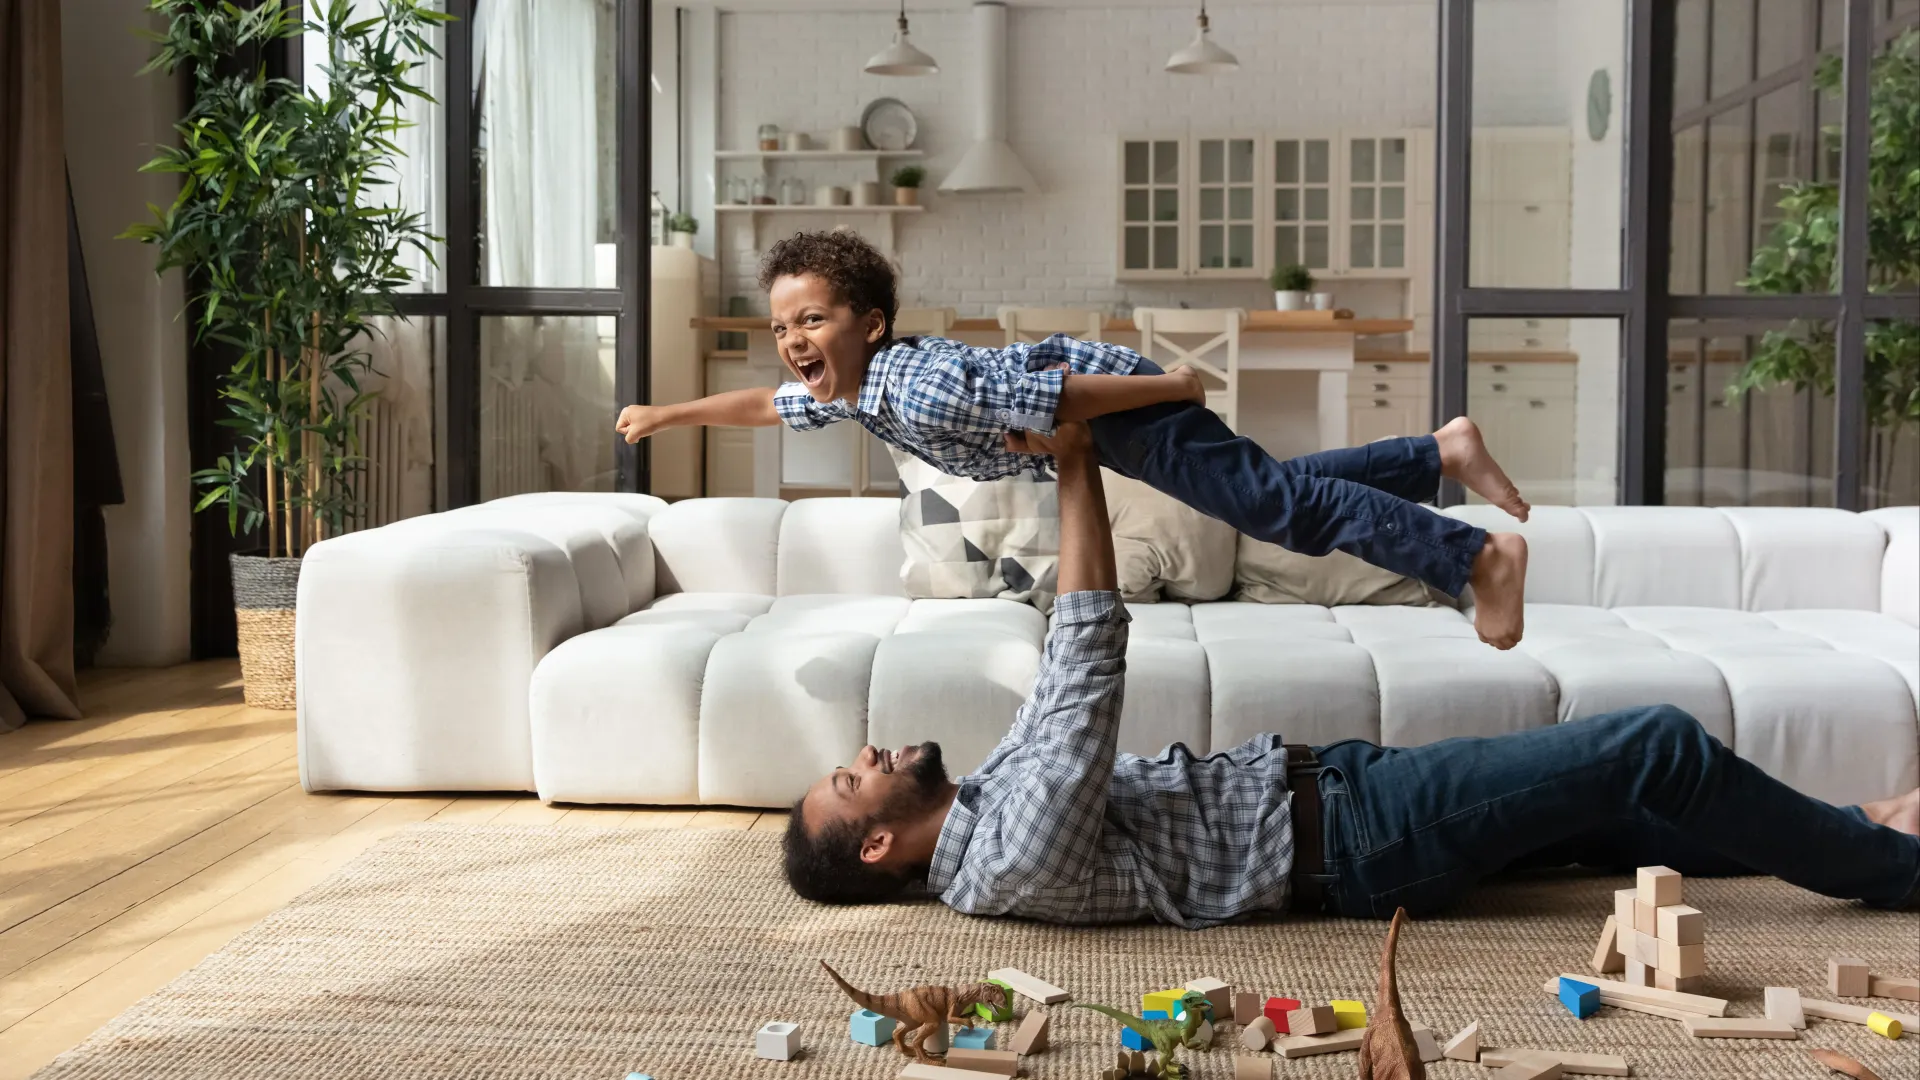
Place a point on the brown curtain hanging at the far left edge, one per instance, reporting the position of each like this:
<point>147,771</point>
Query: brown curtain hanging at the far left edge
<point>36,387</point>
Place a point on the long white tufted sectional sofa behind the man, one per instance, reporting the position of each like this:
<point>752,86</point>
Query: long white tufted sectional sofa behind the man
<point>615,649</point>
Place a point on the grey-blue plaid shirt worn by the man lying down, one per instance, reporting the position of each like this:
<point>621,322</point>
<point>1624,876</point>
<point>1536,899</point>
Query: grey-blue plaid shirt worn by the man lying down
<point>1057,825</point>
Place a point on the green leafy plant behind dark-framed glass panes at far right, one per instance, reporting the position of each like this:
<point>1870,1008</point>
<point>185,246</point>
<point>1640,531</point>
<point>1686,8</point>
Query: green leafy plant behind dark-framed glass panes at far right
<point>1804,257</point>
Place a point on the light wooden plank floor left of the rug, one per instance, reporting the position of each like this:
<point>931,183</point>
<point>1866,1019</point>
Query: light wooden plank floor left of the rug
<point>143,839</point>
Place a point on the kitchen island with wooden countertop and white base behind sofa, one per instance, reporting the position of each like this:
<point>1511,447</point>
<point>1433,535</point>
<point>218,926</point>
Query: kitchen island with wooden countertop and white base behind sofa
<point>1293,397</point>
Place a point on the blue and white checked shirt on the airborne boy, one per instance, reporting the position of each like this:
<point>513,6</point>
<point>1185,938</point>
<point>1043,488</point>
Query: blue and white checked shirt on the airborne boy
<point>949,405</point>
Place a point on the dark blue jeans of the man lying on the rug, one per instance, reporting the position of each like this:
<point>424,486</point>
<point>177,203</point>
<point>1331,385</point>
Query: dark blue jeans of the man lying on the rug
<point>1416,827</point>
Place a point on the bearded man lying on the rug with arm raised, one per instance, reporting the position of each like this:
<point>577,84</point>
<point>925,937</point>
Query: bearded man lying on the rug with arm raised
<point>1057,825</point>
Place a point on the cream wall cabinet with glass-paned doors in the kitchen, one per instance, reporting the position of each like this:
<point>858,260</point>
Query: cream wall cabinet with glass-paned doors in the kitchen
<point>1236,207</point>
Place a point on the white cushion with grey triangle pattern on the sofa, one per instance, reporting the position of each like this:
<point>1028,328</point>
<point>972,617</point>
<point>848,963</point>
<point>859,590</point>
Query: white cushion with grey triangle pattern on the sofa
<point>978,539</point>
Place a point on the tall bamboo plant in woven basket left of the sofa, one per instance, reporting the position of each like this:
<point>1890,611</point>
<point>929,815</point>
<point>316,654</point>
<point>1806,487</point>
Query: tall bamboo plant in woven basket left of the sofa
<point>291,243</point>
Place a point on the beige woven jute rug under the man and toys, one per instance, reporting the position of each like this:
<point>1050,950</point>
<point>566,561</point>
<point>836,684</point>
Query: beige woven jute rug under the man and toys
<point>492,952</point>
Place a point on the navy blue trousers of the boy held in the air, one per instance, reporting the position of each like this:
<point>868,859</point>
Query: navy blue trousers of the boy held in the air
<point>1360,501</point>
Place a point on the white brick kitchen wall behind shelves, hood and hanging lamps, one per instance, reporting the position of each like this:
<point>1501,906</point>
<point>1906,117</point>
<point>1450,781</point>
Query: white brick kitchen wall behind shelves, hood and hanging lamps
<point>1080,80</point>
